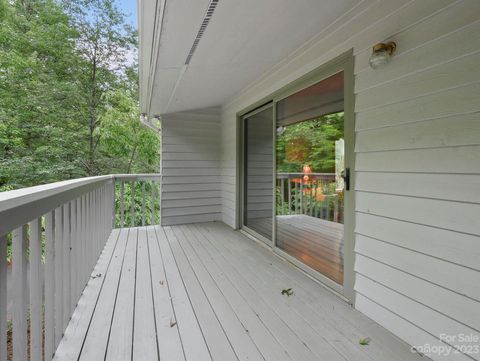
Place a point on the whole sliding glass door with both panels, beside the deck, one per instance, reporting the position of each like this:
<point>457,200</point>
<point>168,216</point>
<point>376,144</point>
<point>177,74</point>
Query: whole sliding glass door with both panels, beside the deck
<point>297,155</point>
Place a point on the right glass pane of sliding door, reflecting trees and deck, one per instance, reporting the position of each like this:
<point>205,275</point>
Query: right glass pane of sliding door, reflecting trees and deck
<point>310,152</point>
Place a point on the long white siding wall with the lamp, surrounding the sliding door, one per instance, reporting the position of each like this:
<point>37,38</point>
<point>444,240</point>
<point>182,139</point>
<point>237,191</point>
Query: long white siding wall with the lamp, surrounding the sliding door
<point>417,155</point>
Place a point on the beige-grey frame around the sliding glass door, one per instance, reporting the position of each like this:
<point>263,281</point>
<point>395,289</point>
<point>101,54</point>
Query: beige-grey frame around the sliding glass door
<point>342,63</point>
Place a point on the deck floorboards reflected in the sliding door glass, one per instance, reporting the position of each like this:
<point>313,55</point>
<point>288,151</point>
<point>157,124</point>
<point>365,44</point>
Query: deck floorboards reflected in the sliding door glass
<point>316,242</point>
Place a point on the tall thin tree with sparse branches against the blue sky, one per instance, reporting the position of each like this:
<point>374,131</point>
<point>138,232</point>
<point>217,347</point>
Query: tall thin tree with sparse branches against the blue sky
<point>105,41</point>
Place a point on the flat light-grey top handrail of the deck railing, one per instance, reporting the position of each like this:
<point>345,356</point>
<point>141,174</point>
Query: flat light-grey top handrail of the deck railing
<point>17,207</point>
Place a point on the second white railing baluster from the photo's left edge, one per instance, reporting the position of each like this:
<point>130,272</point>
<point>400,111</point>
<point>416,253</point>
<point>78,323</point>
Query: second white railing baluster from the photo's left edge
<point>19,282</point>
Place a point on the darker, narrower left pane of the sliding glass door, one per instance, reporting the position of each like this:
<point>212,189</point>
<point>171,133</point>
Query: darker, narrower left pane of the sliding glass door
<point>258,171</point>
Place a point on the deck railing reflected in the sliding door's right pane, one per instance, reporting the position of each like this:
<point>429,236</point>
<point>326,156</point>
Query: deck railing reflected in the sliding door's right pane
<point>311,194</point>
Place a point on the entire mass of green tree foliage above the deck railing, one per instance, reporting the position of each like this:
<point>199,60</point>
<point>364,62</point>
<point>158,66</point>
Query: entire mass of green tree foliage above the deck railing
<point>68,93</point>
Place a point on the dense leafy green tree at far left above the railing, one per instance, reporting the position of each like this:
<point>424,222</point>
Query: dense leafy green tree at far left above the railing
<point>38,92</point>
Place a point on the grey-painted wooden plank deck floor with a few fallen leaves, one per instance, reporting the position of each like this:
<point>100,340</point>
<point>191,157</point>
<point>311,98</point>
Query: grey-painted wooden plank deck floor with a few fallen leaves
<point>205,292</point>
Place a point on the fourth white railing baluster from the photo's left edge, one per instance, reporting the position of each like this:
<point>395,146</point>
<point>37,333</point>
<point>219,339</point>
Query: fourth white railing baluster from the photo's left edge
<point>49,285</point>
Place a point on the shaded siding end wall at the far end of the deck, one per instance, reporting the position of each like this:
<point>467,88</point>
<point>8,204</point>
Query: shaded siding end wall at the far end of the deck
<point>191,179</point>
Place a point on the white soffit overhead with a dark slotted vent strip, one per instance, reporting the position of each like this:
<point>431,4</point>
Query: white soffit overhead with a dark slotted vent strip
<point>242,41</point>
